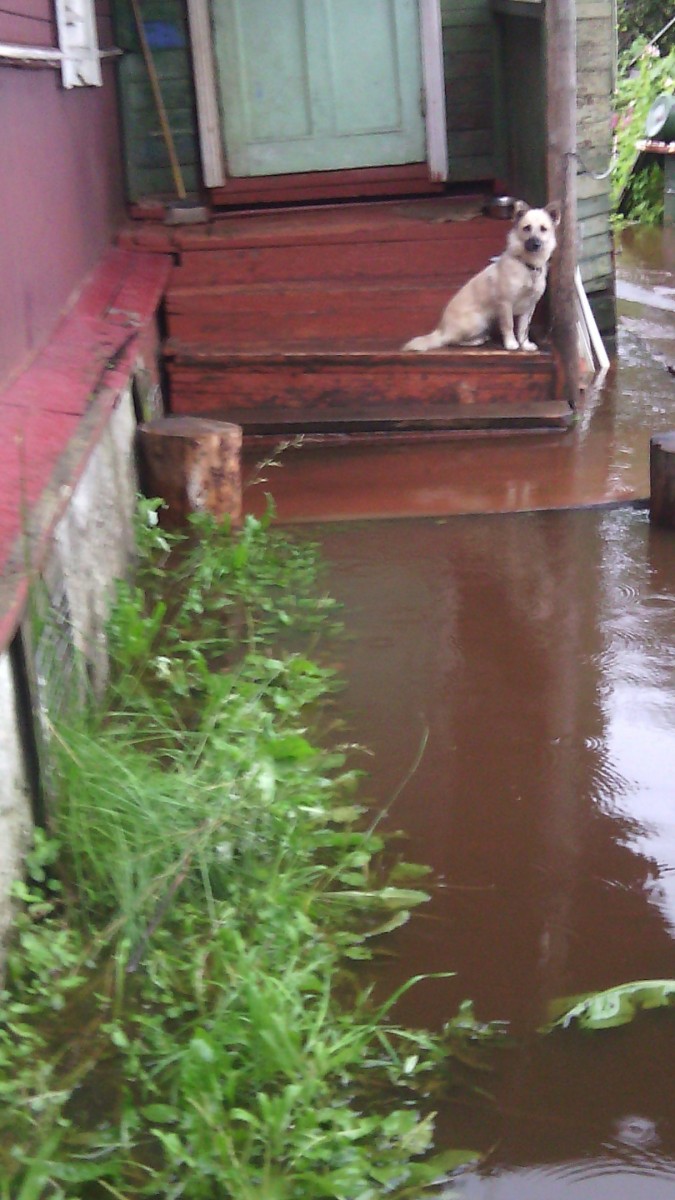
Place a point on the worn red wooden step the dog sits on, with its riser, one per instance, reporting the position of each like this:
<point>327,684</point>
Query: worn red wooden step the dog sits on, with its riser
<point>330,387</point>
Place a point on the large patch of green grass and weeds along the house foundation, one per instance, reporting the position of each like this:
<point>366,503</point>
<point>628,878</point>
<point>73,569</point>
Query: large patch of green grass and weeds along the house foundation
<point>180,1018</point>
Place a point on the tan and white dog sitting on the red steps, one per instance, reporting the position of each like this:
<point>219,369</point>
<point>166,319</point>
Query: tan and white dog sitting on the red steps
<point>504,296</point>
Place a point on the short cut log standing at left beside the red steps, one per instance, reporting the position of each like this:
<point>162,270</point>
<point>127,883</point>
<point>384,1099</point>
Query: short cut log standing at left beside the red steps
<point>194,465</point>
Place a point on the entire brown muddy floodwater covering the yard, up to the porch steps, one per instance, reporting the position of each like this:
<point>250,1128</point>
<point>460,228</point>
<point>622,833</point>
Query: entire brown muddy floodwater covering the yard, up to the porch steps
<point>510,658</point>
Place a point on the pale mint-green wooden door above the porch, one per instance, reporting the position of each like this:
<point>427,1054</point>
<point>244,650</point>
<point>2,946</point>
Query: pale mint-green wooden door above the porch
<point>319,85</point>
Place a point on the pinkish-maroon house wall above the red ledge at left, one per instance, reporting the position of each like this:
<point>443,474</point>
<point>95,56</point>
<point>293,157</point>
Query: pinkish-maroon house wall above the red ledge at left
<point>61,193</point>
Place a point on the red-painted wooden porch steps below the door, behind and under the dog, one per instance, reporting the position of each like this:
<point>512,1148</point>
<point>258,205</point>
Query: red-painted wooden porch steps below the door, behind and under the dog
<point>291,322</point>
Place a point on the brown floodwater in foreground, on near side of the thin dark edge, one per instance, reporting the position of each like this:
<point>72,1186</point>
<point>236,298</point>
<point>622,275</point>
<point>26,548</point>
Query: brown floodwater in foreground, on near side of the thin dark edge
<point>535,656</point>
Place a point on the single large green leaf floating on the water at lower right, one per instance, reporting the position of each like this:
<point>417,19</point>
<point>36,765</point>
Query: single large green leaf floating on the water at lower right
<point>612,1009</point>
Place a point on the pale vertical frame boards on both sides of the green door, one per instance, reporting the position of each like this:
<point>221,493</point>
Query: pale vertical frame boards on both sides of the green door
<point>208,110</point>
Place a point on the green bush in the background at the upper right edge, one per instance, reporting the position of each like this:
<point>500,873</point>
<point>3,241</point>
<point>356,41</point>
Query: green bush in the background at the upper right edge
<point>638,194</point>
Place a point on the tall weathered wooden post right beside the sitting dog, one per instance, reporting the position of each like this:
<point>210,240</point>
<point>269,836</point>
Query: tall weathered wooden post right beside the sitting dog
<point>560,41</point>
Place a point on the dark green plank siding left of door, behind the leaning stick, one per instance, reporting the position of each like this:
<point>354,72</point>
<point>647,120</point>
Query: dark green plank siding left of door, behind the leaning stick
<point>148,167</point>
